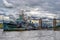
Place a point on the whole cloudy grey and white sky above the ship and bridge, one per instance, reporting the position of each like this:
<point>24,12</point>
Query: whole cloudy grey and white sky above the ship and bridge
<point>40,8</point>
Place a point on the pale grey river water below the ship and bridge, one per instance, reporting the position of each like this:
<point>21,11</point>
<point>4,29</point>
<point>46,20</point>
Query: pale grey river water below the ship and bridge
<point>30,35</point>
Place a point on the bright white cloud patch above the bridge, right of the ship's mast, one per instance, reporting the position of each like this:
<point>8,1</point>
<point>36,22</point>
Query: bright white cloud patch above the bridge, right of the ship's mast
<point>41,14</point>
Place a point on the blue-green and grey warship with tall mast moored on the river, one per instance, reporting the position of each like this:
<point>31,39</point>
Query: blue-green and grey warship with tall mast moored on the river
<point>20,24</point>
